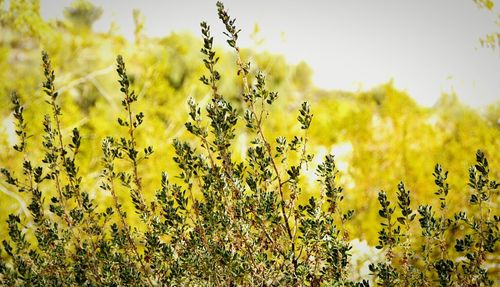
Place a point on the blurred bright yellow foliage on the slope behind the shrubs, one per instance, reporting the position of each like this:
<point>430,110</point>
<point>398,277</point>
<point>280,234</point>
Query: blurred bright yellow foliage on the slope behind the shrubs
<point>382,134</point>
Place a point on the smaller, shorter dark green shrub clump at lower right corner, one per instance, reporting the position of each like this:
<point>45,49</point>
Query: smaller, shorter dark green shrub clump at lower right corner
<point>480,238</point>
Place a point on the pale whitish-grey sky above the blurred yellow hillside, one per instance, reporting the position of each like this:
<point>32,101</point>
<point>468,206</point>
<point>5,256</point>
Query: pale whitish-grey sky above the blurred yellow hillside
<point>425,46</point>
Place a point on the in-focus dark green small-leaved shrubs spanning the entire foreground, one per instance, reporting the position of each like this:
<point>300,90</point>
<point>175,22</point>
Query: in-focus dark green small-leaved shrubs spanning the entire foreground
<point>225,223</point>
